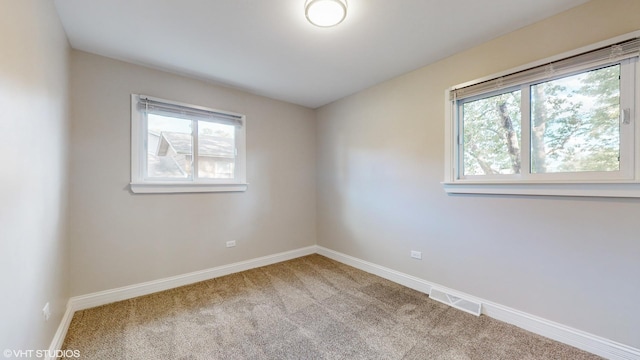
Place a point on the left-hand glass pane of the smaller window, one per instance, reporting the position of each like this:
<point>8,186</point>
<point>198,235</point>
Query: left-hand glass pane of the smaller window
<point>169,147</point>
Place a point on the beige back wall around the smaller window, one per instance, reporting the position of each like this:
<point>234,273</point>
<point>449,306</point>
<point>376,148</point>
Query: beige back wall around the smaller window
<point>119,238</point>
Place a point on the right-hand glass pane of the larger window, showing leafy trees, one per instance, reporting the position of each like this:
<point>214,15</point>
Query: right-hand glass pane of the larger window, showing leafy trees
<point>575,123</point>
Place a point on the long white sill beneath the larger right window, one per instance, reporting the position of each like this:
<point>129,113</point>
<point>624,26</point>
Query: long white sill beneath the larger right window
<point>624,190</point>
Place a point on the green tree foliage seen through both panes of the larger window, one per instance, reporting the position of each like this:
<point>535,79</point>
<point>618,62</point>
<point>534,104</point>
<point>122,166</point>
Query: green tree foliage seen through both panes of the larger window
<point>574,126</point>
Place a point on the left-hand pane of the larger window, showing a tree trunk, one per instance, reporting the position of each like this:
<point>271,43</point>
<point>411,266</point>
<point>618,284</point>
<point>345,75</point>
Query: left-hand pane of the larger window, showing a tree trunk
<point>491,129</point>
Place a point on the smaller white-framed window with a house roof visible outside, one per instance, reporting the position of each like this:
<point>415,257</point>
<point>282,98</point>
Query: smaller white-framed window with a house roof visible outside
<point>177,147</point>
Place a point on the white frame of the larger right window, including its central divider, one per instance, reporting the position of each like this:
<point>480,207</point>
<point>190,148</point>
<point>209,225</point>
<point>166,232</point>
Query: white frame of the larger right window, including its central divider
<point>625,183</point>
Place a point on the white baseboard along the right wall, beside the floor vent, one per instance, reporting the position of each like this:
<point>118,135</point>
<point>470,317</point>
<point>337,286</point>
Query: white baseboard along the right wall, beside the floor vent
<point>549,329</point>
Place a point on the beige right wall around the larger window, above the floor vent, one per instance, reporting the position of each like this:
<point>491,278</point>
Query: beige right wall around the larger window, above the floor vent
<point>380,163</point>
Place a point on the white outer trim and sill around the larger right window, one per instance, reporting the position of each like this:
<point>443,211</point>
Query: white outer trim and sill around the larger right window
<point>555,186</point>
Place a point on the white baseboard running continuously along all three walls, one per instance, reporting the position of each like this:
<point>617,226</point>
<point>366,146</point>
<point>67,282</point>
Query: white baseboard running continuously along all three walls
<point>579,339</point>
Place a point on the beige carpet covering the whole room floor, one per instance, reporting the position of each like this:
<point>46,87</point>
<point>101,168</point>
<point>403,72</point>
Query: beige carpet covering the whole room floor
<point>307,308</point>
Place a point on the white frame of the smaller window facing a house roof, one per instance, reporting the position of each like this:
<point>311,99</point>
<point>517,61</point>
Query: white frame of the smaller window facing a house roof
<point>142,184</point>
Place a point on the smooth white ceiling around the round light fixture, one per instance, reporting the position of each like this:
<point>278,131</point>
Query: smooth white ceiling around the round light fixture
<point>267,47</point>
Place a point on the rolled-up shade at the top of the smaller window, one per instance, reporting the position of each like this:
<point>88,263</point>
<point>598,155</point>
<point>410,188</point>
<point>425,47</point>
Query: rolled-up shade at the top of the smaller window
<point>152,106</point>
